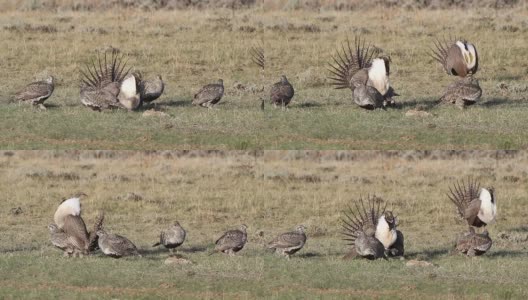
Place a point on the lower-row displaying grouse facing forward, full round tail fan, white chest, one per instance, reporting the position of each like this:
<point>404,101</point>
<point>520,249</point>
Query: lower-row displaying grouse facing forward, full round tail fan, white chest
<point>371,230</point>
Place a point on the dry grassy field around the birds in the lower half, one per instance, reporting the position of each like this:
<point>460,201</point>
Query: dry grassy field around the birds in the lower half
<point>271,192</point>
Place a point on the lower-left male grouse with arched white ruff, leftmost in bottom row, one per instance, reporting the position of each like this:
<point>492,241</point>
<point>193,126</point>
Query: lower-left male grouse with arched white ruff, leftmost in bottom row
<point>68,218</point>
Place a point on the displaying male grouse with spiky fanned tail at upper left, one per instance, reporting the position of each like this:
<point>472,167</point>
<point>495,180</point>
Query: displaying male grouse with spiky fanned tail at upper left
<point>103,85</point>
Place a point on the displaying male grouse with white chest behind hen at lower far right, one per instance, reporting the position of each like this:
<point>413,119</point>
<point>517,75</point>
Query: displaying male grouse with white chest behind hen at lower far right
<point>474,204</point>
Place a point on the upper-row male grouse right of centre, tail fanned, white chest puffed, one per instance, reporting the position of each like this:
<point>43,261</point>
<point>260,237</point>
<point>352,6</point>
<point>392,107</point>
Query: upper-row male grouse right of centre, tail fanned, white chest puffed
<point>367,77</point>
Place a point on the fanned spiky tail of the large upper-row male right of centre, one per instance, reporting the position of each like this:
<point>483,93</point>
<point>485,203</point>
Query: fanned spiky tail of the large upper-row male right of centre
<point>348,61</point>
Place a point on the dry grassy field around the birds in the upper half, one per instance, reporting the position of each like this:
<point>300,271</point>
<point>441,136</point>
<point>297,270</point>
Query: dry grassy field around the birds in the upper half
<point>192,48</point>
